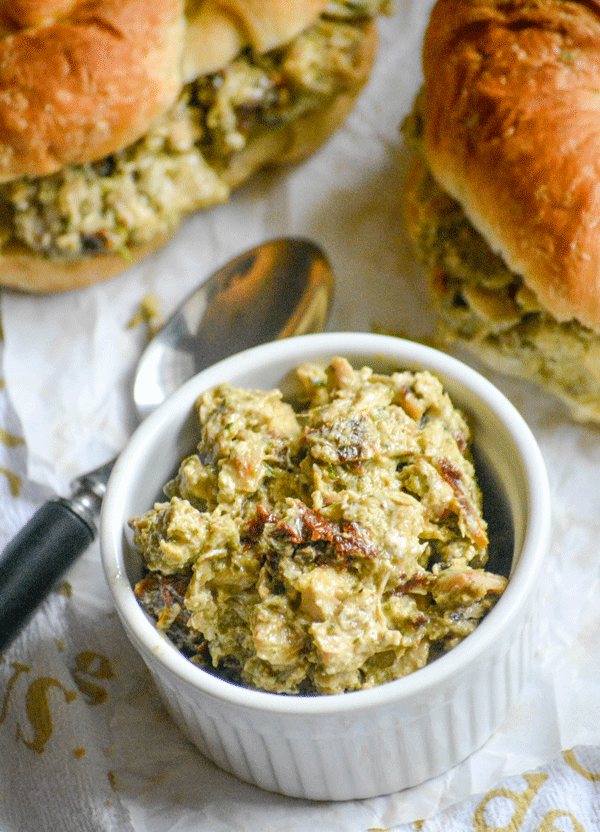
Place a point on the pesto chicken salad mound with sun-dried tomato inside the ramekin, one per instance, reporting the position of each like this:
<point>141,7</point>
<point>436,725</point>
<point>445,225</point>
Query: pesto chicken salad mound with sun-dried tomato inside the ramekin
<point>332,545</point>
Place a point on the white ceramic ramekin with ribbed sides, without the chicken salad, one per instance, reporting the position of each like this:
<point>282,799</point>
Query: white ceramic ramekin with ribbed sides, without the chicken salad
<point>363,743</point>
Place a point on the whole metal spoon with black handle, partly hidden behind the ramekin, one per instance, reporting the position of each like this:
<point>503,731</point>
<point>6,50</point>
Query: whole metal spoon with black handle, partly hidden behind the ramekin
<point>278,289</point>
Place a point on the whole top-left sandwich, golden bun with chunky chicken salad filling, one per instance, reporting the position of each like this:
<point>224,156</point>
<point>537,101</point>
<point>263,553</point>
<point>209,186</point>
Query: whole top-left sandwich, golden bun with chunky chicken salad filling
<point>120,117</point>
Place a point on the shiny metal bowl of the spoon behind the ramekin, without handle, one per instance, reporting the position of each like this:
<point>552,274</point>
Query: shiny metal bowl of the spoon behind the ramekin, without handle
<point>275,290</point>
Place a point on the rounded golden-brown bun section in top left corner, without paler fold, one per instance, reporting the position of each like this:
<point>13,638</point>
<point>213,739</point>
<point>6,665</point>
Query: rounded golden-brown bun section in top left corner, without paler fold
<point>79,83</point>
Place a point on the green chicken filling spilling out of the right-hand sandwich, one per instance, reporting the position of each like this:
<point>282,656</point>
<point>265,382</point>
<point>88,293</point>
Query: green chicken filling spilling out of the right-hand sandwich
<point>488,308</point>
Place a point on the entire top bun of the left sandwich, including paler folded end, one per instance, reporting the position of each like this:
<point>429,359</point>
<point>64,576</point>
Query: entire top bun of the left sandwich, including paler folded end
<point>80,79</point>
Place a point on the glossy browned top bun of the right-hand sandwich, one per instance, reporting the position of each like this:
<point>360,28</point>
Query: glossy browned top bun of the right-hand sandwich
<point>512,131</point>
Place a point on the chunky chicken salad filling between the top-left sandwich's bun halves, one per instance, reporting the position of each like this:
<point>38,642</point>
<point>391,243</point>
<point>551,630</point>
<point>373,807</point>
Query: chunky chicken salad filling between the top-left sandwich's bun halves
<point>140,193</point>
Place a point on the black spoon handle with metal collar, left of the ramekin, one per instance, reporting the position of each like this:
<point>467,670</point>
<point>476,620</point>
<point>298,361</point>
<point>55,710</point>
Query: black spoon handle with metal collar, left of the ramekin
<point>43,550</point>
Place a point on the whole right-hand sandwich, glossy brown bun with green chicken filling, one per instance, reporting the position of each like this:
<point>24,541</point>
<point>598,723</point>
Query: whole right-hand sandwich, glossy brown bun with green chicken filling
<point>503,196</point>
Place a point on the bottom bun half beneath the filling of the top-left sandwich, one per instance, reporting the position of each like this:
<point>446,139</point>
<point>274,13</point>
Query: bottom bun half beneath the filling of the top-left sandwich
<point>25,270</point>
